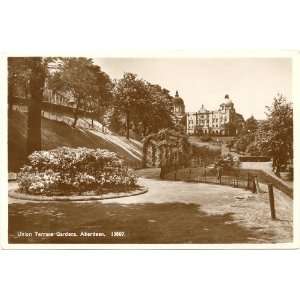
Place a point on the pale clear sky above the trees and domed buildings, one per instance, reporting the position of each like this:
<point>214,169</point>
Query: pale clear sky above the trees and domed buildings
<point>251,83</point>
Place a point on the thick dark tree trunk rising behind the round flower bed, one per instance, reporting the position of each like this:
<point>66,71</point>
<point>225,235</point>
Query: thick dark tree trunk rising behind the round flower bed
<point>36,85</point>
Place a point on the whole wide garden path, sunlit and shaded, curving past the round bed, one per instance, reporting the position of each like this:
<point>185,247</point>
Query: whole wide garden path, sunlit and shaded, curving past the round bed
<point>171,212</point>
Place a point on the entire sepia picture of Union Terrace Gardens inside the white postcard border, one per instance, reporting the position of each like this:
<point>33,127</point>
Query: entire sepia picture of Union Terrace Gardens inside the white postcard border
<point>170,150</point>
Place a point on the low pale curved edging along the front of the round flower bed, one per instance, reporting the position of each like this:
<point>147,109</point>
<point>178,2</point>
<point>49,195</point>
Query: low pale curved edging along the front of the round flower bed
<point>21,196</point>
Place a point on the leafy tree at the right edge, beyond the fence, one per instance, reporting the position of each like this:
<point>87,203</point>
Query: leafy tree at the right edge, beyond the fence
<point>275,135</point>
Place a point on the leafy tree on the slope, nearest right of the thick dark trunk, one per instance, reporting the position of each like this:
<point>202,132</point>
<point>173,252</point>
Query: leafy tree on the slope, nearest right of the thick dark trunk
<point>84,82</point>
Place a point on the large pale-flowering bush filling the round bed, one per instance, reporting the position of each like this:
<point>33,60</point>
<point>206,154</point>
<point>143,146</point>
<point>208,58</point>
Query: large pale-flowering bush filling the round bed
<point>66,170</point>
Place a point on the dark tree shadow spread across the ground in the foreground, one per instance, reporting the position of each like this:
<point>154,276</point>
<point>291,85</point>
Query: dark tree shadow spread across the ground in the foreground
<point>141,223</point>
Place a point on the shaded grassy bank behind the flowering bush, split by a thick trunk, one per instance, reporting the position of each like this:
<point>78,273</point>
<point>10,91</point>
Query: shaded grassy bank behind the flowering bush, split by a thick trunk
<point>54,134</point>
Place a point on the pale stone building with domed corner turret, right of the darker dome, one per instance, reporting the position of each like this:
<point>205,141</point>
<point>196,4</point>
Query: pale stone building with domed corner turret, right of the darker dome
<point>214,122</point>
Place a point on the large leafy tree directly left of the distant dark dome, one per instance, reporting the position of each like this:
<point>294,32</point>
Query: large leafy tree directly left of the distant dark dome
<point>146,107</point>
